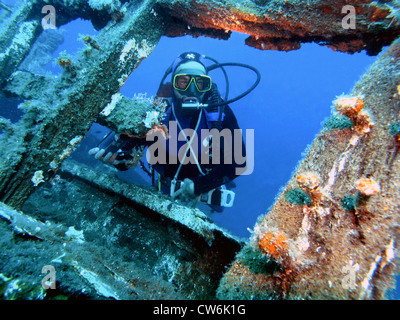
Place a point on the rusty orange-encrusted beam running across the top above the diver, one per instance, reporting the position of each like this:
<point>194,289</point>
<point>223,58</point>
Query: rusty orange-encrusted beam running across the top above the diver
<point>285,25</point>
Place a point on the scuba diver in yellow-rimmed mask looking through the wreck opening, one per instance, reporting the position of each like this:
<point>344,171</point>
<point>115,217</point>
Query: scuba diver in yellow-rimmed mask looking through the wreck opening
<point>194,103</point>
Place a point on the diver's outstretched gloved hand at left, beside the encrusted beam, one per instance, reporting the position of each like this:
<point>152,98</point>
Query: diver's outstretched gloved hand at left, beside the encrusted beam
<point>115,150</point>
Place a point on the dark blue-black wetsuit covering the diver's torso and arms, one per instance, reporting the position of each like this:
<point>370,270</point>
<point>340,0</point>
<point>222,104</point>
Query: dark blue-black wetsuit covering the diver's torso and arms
<point>215,175</point>
